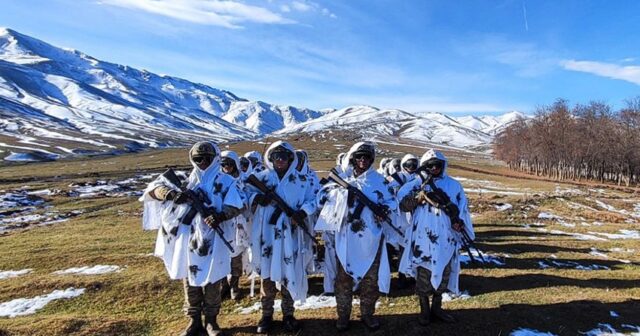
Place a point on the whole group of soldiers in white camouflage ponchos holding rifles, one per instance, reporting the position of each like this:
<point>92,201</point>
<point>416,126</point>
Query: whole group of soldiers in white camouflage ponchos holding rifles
<point>239,214</point>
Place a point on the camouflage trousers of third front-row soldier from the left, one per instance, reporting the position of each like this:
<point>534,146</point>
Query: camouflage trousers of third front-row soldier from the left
<point>369,292</point>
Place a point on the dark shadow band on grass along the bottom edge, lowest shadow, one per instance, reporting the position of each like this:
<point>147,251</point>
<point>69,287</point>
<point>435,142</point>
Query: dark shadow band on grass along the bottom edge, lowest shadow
<point>570,318</point>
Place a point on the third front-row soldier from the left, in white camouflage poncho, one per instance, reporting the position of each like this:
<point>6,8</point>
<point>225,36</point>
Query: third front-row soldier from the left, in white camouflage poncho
<point>359,238</point>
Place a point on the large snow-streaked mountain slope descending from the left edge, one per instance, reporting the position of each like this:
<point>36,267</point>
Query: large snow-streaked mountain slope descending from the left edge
<point>49,94</point>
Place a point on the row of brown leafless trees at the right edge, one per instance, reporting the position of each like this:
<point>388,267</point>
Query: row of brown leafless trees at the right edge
<point>590,141</point>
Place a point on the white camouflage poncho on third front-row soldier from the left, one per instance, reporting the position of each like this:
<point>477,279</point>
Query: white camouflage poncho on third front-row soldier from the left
<point>357,240</point>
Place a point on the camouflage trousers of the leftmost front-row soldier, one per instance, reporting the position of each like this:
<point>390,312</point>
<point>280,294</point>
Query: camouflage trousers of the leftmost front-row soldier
<point>204,299</point>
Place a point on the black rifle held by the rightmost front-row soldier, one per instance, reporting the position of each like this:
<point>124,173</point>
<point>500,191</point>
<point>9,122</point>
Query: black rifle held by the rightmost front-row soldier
<point>439,199</point>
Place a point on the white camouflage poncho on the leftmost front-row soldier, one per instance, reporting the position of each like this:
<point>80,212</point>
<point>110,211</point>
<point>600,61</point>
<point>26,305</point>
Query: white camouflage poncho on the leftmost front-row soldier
<point>193,251</point>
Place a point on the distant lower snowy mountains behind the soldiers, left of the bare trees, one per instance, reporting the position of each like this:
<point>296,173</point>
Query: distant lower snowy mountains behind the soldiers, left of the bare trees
<point>434,128</point>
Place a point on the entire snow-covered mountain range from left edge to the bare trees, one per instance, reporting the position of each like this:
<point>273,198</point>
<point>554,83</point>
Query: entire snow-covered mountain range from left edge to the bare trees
<point>56,102</point>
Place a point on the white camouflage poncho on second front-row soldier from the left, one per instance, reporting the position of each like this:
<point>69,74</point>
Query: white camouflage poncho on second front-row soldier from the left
<point>279,252</point>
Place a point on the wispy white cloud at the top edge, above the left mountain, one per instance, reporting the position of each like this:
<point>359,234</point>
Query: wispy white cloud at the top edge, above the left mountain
<point>227,13</point>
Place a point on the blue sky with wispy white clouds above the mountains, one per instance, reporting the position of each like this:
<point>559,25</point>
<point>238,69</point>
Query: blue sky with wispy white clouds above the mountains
<point>457,57</point>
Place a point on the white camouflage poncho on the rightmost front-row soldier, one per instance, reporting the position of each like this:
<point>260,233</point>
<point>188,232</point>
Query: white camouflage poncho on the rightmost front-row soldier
<point>432,241</point>
